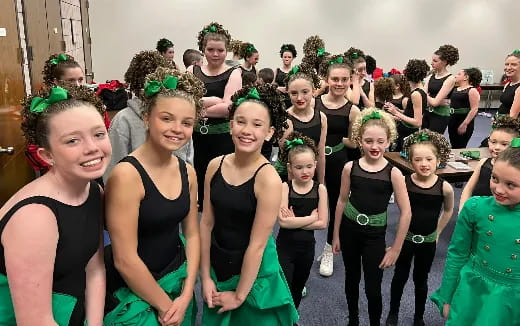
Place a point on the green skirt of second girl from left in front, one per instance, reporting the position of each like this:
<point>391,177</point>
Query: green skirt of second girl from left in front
<point>133,311</point>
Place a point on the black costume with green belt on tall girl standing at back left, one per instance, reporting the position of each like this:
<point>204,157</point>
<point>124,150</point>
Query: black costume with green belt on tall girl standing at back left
<point>212,139</point>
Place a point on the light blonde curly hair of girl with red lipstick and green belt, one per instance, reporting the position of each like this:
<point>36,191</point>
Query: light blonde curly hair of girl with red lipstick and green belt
<point>386,122</point>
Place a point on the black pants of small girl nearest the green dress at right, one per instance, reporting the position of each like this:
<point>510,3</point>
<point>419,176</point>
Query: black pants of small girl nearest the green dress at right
<point>422,255</point>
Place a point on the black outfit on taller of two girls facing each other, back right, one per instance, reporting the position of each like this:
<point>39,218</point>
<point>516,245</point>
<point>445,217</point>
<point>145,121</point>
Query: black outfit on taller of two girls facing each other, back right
<point>436,118</point>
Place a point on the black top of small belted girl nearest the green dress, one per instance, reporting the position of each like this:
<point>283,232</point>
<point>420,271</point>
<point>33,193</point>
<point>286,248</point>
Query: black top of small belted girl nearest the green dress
<point>426,204</point>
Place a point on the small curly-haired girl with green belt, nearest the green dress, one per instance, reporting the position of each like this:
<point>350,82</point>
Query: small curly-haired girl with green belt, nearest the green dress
<point>430,197</point>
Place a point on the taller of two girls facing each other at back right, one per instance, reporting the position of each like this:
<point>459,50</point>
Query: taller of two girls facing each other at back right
<point>439,87</point>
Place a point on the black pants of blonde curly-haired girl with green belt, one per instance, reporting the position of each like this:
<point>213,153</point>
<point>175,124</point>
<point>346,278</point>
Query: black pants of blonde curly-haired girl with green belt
<point>363,246</point>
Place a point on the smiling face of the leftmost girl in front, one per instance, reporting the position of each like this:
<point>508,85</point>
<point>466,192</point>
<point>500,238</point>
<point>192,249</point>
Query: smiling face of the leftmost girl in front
<point>79,147</point>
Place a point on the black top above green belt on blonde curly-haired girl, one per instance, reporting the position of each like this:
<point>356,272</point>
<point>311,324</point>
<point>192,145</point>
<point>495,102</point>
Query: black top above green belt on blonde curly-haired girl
<point>370,191</point>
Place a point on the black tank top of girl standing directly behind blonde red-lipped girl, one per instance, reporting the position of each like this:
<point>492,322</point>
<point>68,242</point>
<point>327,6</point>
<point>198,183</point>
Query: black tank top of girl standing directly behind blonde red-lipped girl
<point>337,121</point>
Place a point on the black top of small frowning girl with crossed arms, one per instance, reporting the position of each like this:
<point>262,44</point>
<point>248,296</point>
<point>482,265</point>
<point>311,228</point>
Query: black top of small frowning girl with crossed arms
<point>303,205</point>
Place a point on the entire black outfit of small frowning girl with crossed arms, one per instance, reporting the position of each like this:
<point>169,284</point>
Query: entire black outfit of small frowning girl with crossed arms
<point>296,246</point>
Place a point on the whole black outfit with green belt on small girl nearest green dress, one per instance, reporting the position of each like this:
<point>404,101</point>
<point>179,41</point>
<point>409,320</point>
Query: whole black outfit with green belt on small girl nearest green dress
<point>420,244</point>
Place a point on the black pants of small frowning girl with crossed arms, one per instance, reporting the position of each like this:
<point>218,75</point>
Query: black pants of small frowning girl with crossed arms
<point>296,260</point>
